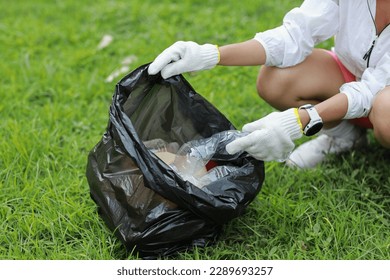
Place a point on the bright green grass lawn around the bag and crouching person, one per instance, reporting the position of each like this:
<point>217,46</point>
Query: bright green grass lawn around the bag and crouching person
<point>54,109</point>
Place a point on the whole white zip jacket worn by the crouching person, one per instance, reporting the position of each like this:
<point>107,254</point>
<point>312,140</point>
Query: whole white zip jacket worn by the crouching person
<point>352,24</point>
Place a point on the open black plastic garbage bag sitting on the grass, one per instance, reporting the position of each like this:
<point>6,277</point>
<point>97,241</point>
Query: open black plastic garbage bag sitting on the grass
<point>151,208</point>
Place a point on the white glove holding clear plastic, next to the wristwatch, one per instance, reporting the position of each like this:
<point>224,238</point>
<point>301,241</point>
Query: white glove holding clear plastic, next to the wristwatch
<point>270,138</point>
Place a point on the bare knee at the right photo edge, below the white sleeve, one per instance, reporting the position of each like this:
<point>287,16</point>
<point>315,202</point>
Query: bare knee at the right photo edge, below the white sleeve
<point>380,117</point>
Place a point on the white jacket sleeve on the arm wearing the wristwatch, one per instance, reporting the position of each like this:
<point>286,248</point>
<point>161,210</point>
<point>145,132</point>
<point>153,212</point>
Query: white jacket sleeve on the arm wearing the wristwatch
<point>361,94</point>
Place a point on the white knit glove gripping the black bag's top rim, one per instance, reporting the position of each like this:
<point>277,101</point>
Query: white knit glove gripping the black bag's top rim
<point>184,57</point>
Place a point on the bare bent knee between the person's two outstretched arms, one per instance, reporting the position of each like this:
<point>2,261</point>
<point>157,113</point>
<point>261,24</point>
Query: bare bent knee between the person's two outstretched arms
<point>315,79</point>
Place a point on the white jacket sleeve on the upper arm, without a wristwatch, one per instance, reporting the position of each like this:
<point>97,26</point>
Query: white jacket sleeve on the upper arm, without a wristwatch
<point>303,28</point>
